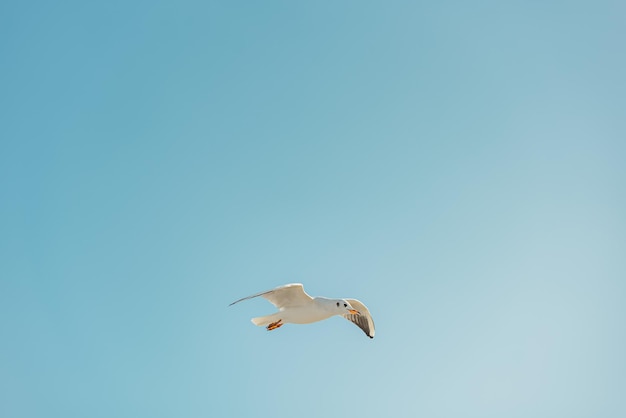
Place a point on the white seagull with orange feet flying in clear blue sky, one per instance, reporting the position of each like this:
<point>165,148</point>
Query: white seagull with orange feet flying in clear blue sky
<point>295,306</point>
